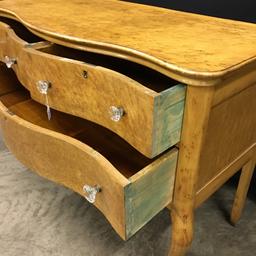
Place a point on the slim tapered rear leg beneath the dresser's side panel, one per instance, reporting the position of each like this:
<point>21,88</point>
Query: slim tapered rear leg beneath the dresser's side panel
<point>241,193</point>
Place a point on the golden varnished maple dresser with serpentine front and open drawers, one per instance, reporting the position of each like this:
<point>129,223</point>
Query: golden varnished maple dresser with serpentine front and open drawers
<point>134,107</point>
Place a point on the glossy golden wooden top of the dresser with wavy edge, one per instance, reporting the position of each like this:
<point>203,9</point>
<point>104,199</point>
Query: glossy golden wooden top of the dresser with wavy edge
<point>187,45</point>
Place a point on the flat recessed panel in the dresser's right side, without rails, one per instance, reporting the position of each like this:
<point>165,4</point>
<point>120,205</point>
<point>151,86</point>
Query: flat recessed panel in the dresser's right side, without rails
<point>231,132</point>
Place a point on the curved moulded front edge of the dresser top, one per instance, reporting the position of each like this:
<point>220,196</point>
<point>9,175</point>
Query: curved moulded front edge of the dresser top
<point>182,74</point>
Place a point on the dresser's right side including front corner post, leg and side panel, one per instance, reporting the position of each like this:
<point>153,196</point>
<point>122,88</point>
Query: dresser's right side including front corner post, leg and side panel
<point>218,138</point>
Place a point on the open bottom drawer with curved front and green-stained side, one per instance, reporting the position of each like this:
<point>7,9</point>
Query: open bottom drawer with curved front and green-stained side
<point>126,186</point>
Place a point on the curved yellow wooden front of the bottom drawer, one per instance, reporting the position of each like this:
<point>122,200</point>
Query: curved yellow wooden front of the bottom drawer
<point>66,161</point>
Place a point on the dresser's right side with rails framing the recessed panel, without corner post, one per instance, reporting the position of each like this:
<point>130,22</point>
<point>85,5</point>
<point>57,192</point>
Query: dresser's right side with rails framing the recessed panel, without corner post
<point>231,135</point>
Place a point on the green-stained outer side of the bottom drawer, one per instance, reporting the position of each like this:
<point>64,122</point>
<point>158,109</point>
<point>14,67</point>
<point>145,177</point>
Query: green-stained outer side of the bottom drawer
<point>150,190</point>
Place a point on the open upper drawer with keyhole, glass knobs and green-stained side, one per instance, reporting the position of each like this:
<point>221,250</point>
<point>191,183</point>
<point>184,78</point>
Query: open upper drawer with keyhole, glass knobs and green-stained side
<point>139,104</point>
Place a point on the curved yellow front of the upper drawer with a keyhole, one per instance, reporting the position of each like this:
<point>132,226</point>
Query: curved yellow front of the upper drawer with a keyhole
<point>91,97</point>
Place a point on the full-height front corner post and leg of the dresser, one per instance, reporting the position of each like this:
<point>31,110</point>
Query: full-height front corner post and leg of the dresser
<point>196,115</point>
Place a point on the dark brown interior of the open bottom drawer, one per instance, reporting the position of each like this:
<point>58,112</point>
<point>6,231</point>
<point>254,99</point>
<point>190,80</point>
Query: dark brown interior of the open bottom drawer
<point>103,141</point>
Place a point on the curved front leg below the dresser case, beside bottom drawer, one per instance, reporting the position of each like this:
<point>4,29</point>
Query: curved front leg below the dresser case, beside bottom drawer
<point>182,233</point>
